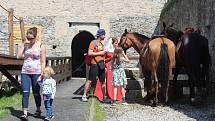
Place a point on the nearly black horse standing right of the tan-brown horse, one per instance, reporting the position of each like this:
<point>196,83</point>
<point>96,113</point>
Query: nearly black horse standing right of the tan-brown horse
<point>193,55</point>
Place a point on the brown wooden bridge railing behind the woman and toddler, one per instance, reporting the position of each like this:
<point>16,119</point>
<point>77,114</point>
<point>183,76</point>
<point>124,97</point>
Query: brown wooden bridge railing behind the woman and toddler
<point>10,66</point>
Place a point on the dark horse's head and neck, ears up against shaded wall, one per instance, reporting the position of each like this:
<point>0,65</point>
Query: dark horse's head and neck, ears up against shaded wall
<point>172,33</point>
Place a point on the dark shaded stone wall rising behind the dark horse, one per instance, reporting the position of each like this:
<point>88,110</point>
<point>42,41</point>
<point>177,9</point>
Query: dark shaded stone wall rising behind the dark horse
<point>193,13</point>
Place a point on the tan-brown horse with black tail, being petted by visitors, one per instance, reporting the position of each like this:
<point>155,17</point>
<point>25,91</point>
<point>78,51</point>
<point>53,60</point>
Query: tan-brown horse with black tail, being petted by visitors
<point>157,58</point>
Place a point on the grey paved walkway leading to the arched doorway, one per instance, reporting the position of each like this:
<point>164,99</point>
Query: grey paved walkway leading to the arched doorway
<point>67,104</point>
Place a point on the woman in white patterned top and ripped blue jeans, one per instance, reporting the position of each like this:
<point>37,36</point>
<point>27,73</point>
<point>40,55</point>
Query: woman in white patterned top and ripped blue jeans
<point>34,55</point>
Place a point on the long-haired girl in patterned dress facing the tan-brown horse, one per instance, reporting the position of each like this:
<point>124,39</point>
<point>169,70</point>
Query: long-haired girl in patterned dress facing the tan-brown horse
<point>118,73</point>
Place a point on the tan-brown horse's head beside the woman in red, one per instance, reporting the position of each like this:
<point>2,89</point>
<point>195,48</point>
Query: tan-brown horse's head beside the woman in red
<point>125,40</point>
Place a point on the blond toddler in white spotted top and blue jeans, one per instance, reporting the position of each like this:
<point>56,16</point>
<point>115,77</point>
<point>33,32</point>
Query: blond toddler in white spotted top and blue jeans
<point>48,91</point>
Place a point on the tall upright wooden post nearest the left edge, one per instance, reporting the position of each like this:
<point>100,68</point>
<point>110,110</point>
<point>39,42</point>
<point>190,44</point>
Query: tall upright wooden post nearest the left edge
<point>10,30</point>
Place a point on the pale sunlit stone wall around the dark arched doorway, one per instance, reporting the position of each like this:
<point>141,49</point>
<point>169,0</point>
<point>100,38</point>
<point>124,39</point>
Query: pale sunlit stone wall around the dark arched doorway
<point>112,15</point>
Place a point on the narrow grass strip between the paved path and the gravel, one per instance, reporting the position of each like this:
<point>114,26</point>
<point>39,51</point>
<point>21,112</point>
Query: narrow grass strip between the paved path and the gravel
<point>98,112</point>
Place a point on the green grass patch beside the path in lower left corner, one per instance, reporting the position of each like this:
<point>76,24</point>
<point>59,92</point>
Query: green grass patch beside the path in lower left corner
<point>9,102</point>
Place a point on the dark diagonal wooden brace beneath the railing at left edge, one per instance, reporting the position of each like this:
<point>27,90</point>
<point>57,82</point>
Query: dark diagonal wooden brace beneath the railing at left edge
<point>11,78</point>
